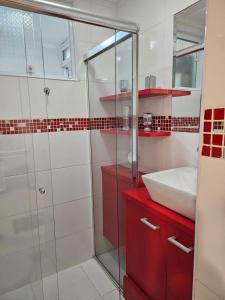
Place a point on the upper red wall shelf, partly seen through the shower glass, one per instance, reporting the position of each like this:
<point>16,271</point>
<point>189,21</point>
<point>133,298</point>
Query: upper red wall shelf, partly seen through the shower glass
<point>146,93</point>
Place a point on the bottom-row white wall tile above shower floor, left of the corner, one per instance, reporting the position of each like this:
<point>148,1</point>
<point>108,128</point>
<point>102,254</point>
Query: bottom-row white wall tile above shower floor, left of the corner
<point>74,249</point>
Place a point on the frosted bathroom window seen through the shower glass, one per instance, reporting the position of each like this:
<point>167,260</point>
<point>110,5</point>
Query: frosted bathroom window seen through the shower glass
<point>35,45</point>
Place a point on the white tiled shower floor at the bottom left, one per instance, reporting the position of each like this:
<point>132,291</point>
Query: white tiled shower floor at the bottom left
<point>86,281</point>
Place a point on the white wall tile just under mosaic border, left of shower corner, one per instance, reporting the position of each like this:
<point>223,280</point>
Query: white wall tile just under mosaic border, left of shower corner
<point>69,148</point>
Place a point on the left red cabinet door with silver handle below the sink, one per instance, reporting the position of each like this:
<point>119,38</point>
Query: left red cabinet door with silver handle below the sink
<point>145,253</point>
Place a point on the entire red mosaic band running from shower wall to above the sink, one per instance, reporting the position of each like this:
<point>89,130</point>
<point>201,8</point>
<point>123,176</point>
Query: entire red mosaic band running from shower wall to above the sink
<point>160,123</point>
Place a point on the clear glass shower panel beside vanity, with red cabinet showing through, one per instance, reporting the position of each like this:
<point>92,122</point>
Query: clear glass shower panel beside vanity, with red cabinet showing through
<point>110,91</point>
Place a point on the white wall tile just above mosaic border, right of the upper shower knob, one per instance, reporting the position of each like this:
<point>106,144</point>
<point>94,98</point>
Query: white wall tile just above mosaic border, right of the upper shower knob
<point>67,99</point>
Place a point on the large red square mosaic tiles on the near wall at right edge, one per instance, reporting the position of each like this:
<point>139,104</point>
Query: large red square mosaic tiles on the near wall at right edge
<point>214,133</point>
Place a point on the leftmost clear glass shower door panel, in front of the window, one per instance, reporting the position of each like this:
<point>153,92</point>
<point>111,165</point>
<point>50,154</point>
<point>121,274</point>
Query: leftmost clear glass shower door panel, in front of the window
<point>27,240</point>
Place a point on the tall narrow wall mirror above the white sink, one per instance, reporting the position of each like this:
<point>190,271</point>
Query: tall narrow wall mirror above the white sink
<point>188,57</point>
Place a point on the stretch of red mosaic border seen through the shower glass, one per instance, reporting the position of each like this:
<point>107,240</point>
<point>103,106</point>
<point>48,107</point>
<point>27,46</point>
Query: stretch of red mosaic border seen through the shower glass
<point>54,125</point>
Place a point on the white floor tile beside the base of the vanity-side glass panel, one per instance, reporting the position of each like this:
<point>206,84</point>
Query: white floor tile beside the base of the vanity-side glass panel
<point>98,277</point>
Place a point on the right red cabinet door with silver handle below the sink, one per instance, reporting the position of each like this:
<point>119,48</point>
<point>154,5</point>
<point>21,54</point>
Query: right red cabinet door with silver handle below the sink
<point>179,262</point>
